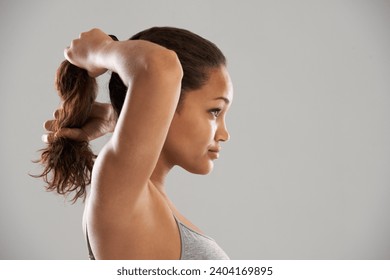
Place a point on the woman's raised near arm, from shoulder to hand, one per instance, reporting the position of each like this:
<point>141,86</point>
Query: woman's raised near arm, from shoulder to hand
<point>153,75</point>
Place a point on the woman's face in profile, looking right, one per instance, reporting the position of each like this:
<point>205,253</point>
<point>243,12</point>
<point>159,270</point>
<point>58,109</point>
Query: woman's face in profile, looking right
<point>198,127</point>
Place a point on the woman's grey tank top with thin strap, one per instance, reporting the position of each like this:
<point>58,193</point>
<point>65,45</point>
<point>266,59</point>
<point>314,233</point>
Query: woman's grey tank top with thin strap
<point>194,245</point>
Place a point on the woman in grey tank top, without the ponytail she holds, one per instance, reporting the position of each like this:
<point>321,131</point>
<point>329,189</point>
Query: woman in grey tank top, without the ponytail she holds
<point>170,91</point>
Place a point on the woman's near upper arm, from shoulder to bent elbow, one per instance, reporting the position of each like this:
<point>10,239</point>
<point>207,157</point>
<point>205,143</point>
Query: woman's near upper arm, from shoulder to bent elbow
<point>126,163</point>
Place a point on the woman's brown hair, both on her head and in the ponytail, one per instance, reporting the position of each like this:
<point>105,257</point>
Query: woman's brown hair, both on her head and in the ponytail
<point>68,163</point>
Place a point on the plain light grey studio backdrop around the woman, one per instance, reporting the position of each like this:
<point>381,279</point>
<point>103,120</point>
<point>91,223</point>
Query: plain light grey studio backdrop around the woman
<point>306,173</point>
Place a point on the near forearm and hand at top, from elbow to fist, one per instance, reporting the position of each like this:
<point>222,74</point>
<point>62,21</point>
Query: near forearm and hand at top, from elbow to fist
<point>96,52</point>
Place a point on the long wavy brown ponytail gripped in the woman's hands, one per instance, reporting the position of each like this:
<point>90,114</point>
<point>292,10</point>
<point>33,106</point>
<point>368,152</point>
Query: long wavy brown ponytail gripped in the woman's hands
<point>68,163</point>
